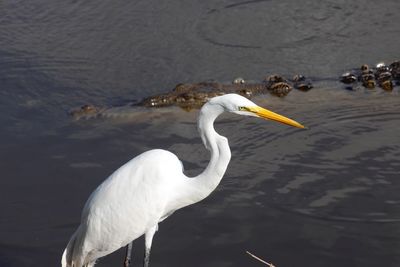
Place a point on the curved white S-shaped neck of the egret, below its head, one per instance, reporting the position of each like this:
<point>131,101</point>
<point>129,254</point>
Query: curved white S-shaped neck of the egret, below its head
<point>202,185</point>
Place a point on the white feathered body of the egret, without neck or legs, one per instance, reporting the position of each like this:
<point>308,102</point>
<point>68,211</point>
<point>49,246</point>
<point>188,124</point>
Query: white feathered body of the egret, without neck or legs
<point>125,205</point>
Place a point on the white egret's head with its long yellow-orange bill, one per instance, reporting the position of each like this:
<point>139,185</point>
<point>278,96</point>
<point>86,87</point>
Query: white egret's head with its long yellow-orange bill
<point>242,106</point>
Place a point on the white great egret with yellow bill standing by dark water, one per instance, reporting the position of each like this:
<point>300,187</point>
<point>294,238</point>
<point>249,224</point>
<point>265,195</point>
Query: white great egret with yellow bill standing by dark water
<point>150,187</point>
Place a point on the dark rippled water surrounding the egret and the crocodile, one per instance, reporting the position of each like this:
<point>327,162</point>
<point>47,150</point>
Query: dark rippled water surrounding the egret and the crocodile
<point>328,196</point>
